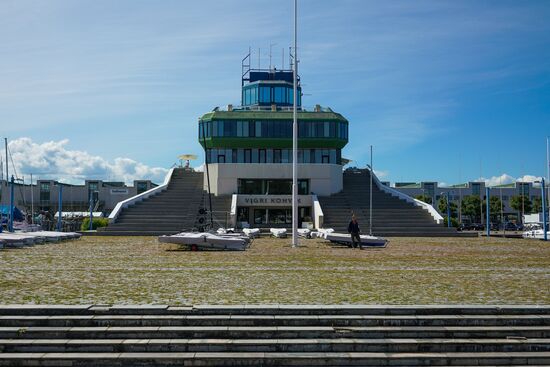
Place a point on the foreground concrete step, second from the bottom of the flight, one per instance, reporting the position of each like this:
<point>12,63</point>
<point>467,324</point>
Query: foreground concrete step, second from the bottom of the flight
<point>273,345</point>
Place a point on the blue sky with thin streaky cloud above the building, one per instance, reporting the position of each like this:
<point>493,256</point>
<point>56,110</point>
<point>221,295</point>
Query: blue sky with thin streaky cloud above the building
<point>446,91</point>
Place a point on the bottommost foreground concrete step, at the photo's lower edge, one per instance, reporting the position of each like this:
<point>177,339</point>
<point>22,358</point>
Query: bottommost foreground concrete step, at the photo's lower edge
<point>272,359</point>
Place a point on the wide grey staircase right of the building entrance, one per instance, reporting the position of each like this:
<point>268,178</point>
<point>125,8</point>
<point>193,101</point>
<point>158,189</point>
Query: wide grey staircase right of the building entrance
<point>391,216</point>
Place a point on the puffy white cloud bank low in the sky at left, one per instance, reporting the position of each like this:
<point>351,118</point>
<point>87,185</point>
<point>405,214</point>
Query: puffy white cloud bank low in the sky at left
<point>53,160</point>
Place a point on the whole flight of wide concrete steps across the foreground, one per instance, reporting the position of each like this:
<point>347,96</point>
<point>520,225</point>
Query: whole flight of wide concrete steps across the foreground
<point>272,335</point>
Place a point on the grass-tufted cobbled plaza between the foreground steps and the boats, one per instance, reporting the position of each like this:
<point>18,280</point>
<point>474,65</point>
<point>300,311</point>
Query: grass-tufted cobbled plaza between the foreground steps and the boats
<point>410,271</point>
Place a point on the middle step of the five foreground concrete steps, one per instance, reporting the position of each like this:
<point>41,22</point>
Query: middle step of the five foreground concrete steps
<point>253,332</point>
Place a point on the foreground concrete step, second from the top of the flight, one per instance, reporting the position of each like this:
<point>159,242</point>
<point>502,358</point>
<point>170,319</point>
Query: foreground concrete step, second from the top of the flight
<point>272,320</point>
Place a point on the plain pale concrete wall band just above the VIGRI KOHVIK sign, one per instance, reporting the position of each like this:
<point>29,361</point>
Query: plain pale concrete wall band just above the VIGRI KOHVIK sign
<point>325,179</point>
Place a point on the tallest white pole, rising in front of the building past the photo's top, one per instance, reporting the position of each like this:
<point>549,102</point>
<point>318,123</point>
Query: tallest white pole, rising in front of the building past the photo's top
<point>295,134</point>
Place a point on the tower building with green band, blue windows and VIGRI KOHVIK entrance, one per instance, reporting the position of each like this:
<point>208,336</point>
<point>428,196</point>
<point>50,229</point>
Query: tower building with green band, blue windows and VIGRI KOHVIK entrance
<point>249,150</point>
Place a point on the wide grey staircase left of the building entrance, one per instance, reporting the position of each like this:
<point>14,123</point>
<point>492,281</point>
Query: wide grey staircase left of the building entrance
<point>168,212</point>
